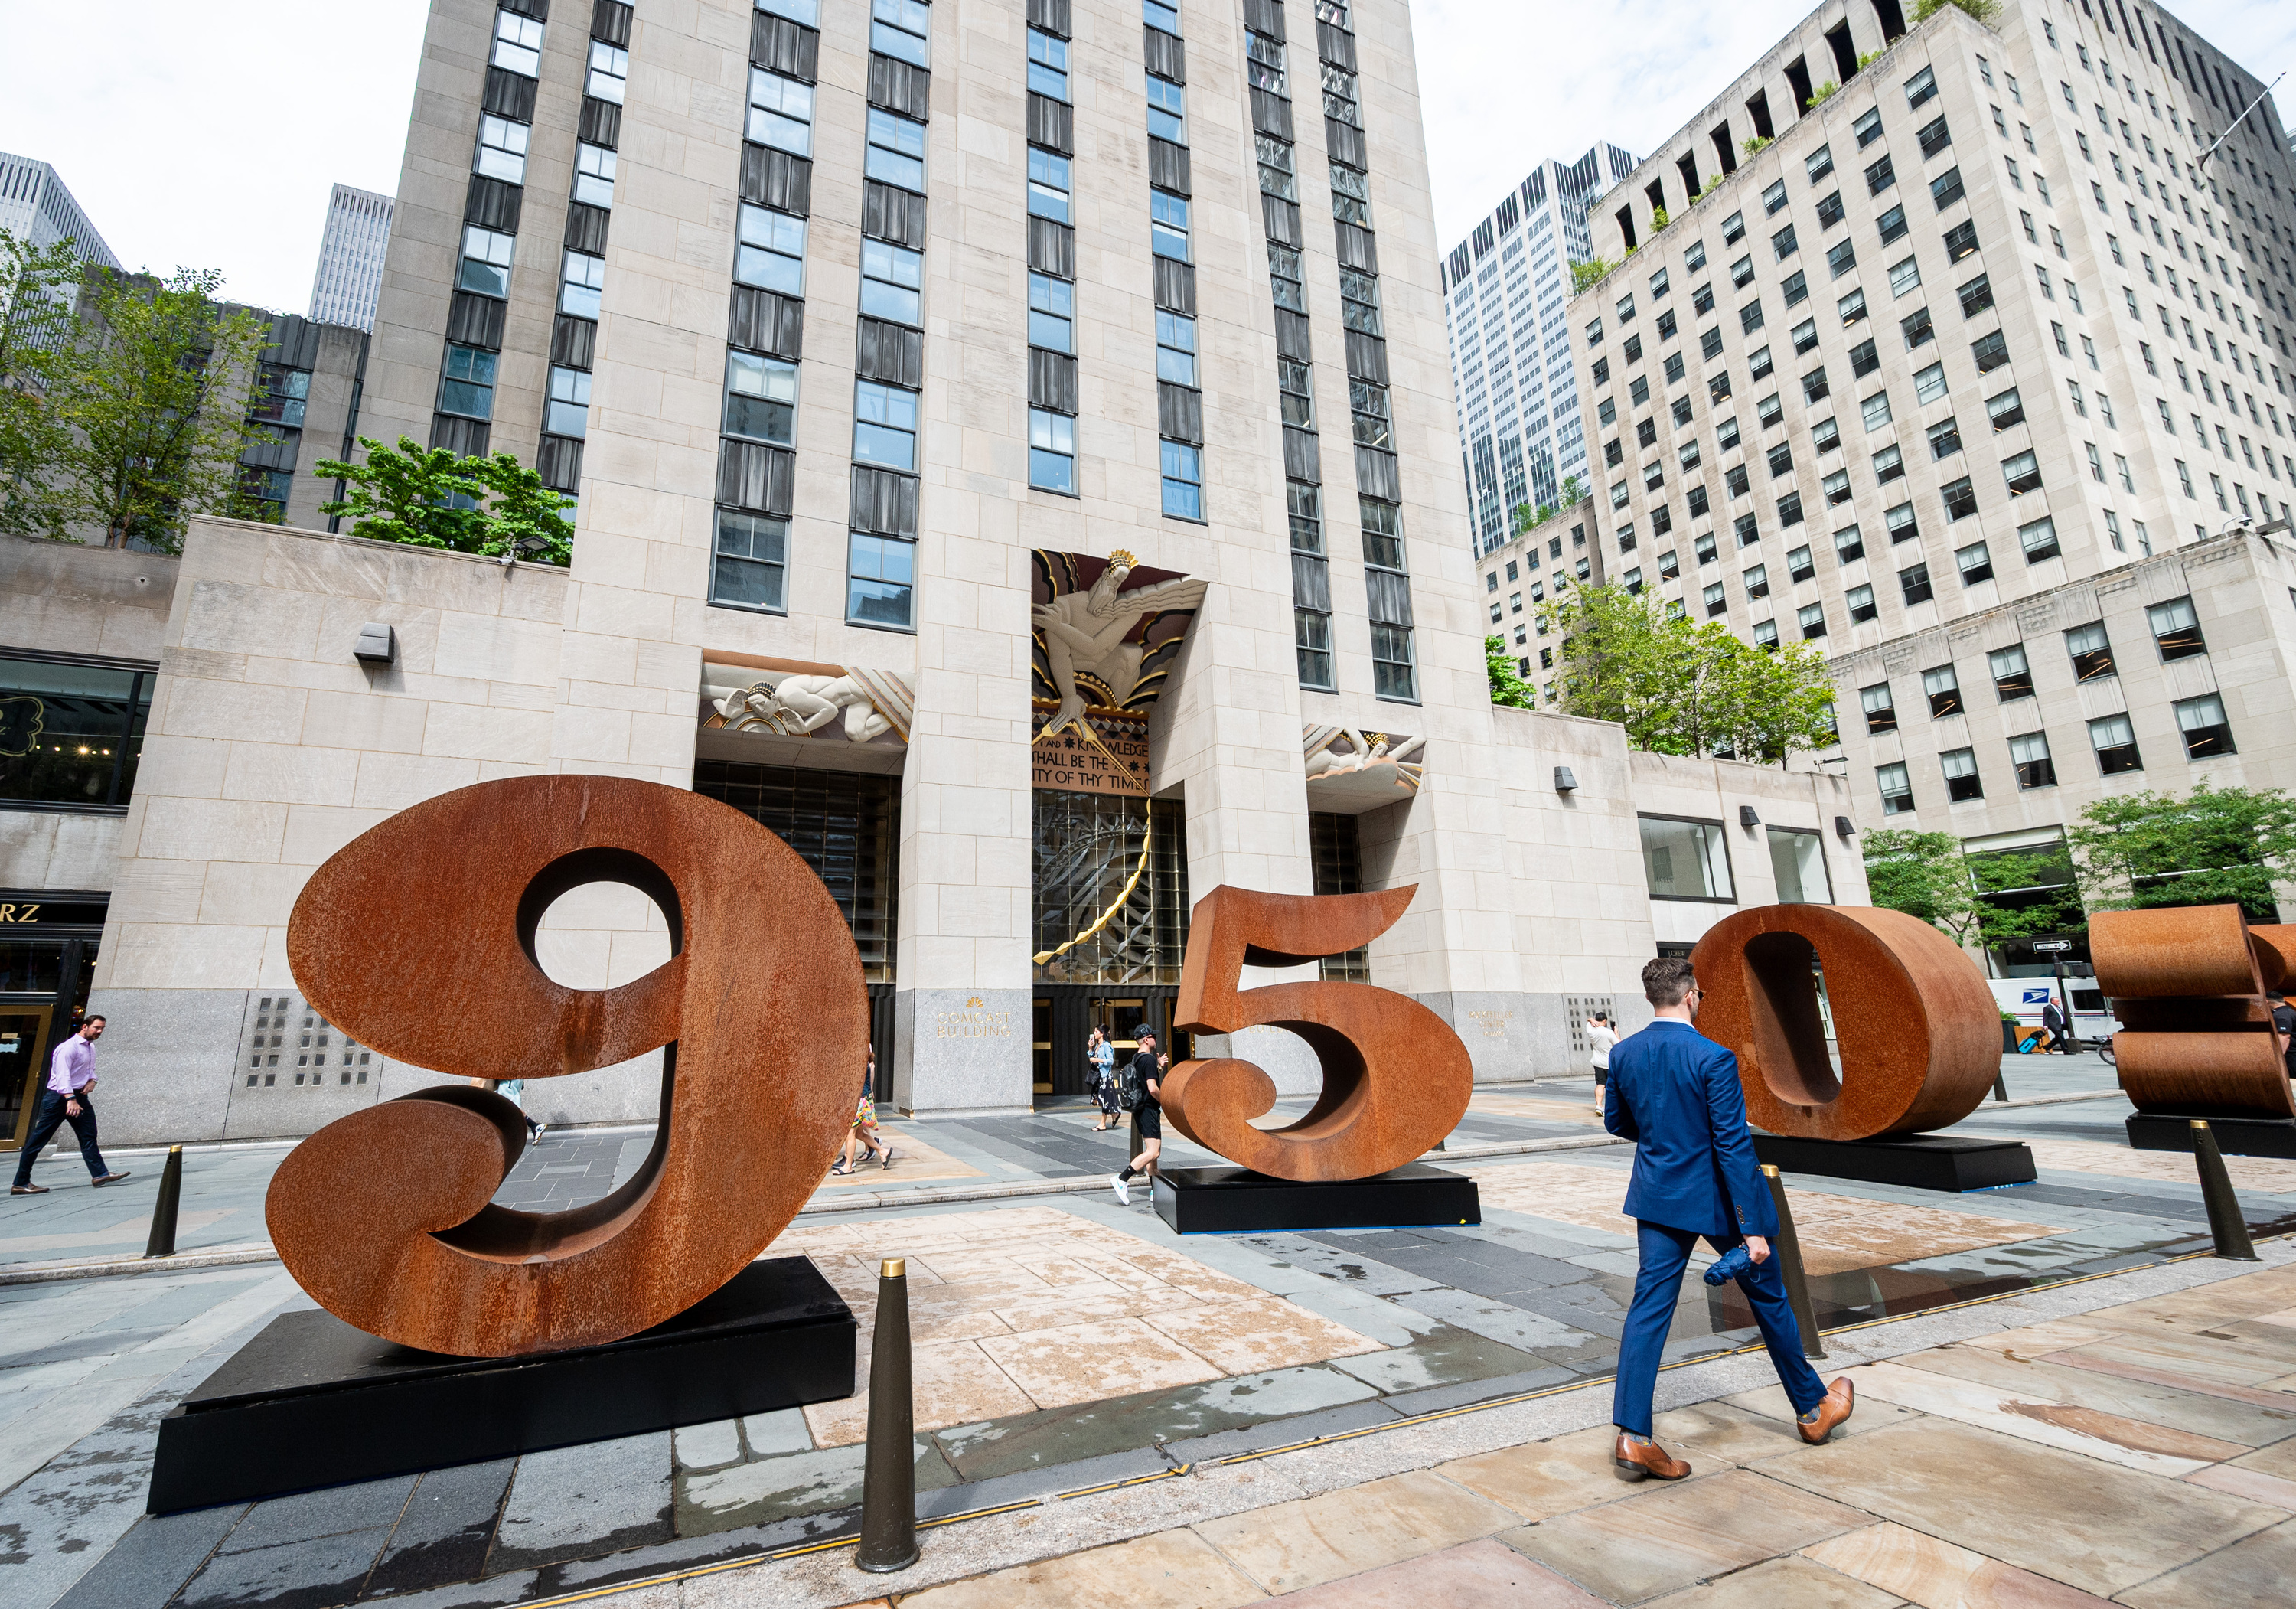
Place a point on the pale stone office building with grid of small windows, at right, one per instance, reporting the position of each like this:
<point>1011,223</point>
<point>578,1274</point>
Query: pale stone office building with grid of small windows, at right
<point>1960,352</point>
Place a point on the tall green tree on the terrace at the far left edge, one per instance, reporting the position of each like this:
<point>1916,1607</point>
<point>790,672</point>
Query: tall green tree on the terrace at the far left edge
<point>150,414</point>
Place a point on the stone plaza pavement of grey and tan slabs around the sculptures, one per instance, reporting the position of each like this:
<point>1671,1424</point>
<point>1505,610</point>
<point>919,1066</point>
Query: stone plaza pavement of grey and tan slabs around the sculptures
<point>1119,1394</point>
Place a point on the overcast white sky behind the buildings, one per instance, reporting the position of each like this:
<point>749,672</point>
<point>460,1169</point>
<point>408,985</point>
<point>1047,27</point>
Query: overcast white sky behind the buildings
<point>210,134</point>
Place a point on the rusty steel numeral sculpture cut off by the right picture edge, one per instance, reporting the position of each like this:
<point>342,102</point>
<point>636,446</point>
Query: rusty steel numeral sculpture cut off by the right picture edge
<point>2194,990</point>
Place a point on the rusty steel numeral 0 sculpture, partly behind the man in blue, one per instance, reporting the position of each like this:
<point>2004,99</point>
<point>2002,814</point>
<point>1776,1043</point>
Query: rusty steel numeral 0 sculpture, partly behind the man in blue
<point>1918,1029</point>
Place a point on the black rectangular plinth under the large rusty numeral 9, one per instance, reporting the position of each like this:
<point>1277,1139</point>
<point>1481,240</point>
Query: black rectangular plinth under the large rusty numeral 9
<point>313,1401</point>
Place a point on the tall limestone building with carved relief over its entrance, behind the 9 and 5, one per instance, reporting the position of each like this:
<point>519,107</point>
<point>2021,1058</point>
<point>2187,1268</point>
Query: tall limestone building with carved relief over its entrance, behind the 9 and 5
<point>1016,463</point>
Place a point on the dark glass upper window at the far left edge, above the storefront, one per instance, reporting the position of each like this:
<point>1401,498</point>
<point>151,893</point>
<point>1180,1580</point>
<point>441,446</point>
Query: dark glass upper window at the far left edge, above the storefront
<point>70,733</point>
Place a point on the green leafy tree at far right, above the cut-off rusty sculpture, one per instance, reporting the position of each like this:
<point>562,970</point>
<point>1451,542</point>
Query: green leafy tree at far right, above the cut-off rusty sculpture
<point>2217,846</point>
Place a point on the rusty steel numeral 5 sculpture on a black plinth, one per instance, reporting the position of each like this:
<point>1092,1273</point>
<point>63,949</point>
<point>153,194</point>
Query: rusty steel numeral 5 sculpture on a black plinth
<point>1395,1075</point>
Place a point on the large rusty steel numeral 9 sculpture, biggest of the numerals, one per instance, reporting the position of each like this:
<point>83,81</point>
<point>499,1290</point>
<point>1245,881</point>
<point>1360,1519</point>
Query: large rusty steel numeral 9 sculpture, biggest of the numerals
<point>419,940</point>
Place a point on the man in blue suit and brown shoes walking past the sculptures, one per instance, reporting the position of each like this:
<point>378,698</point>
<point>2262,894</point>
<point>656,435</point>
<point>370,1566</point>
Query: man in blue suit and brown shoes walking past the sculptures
<point>1675,1094</point>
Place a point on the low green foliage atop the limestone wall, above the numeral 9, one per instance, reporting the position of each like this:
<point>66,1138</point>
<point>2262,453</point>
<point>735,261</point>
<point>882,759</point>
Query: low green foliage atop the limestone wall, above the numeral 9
<point>430,499</point>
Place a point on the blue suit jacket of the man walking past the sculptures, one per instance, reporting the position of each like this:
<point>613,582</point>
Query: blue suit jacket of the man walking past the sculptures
<point>1675,1094</point>
